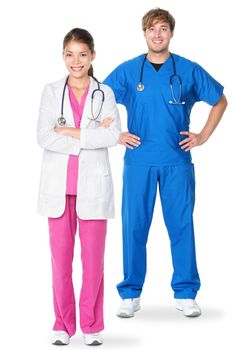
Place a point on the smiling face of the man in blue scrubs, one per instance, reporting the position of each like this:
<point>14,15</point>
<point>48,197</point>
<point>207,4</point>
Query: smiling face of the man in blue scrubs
<point>158,36</point>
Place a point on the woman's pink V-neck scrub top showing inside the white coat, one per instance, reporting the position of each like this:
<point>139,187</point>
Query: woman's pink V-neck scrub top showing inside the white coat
<point>72,168</point>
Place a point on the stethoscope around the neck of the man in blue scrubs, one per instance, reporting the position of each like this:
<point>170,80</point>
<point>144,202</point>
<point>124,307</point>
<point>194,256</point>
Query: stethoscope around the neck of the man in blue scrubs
<point>176,101</point>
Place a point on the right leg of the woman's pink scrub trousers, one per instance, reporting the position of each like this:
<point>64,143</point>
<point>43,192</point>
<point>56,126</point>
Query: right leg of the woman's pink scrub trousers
<point>92,236</point>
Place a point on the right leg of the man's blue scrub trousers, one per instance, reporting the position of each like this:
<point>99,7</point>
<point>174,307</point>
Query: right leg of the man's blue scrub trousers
<point>177,191</point>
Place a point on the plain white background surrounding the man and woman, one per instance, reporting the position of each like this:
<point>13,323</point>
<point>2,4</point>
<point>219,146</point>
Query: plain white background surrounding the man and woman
<point>31,44</point>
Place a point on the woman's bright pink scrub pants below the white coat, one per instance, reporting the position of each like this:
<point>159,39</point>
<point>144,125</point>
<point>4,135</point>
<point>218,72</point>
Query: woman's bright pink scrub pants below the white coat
<point>92,235</point>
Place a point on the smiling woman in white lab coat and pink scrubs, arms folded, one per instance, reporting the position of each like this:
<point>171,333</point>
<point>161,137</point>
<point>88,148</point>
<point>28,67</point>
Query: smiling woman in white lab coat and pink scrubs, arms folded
<point>76,184</point>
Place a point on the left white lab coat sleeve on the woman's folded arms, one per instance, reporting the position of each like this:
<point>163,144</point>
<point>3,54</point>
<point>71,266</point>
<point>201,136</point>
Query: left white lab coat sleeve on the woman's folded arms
<point>46,136</point>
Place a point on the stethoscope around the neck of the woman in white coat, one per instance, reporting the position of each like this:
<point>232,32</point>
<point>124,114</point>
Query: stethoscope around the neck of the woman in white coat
<point>62,121</point>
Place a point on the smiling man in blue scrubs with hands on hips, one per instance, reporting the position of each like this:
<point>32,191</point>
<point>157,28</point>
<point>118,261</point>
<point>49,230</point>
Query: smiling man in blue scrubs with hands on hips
<point>159,90</point>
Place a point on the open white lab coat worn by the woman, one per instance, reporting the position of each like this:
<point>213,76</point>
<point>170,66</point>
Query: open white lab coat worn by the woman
<point>95,197</point>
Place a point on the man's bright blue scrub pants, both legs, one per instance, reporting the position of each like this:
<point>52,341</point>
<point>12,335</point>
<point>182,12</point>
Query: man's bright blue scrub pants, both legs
<point>177,191</point>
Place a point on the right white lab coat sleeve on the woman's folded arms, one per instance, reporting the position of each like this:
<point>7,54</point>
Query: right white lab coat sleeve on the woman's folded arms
<point>102,137</point>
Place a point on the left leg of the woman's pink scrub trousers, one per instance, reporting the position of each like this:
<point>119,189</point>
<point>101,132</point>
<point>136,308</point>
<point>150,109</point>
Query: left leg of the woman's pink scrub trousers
<point>62,237</point>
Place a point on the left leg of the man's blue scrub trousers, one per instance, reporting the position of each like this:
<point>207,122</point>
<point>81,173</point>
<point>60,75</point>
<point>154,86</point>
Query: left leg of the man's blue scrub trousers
<point>139,192</point>
